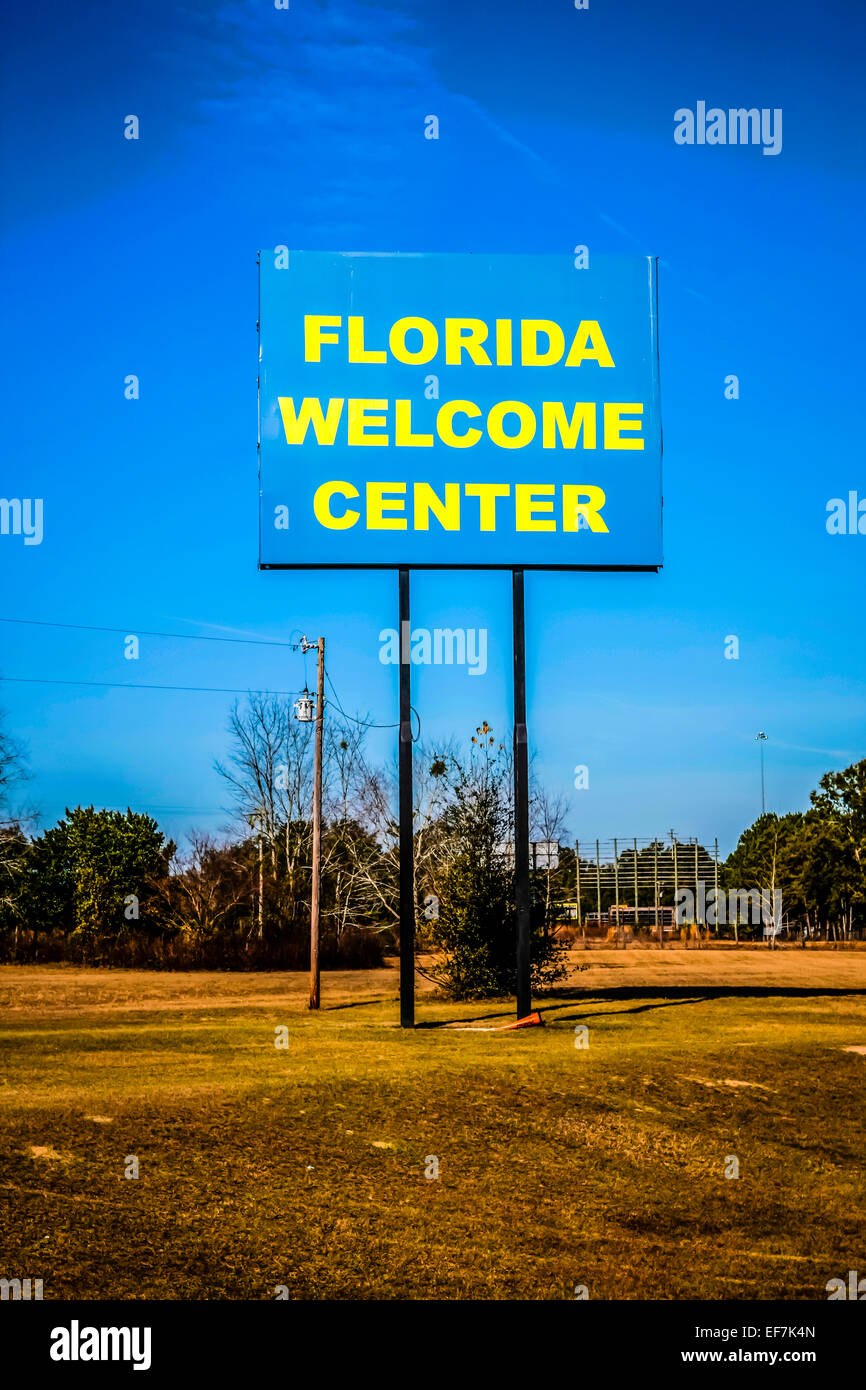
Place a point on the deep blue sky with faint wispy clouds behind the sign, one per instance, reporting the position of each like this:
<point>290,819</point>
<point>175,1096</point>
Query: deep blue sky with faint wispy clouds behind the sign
<point>262,127</point>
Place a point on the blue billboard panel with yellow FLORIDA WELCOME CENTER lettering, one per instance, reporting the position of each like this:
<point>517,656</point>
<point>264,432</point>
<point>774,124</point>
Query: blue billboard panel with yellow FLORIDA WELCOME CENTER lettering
<point>458,411</point>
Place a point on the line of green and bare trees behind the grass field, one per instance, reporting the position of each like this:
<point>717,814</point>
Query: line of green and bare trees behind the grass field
<point>108,888</point>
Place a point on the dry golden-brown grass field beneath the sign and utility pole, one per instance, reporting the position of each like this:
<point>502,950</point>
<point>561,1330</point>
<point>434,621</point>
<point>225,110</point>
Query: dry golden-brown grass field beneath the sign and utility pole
<point>559,1166</point>
